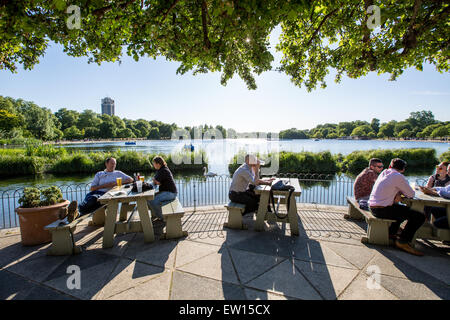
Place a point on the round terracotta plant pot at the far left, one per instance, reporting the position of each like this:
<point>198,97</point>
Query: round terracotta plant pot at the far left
<point>33,220</point>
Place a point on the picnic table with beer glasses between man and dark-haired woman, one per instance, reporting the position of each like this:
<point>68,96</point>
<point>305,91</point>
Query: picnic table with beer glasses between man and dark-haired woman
<point>124,196</point>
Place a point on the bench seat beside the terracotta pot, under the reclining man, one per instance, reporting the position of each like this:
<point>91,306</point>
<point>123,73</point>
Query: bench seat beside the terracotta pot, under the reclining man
<point>63,242</point>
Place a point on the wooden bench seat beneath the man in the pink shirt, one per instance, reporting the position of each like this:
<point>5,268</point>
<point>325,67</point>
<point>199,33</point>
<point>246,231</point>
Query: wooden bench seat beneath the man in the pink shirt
<point>377,229</point>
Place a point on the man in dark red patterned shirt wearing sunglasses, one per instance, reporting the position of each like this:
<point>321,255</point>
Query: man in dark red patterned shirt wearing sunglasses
<point>365,181</point>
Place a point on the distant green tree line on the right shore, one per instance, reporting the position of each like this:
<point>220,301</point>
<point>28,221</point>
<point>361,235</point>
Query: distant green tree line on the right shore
<point>420,124</point>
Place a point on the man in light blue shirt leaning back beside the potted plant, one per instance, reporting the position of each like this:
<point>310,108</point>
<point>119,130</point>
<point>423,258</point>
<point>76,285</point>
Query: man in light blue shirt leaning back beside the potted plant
<point>102,183</point>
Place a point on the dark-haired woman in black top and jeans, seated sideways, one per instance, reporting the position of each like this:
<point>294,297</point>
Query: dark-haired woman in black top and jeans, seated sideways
<point>167,188</point>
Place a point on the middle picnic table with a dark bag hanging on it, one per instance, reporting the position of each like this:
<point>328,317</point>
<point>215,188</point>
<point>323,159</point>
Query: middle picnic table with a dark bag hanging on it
<point>263,214</point>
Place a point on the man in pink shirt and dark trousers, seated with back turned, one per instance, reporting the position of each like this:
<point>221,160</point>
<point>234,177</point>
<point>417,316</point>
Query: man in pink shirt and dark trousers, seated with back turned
<point>383,203</point>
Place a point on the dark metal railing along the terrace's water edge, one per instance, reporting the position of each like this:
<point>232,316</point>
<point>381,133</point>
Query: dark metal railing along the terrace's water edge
<point>201,191</point>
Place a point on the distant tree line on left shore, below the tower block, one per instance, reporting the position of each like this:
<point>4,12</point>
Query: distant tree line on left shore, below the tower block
<point>24,119</point>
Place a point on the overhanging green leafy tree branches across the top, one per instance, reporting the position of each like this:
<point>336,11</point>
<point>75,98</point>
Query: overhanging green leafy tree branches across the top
<point>231,36</point>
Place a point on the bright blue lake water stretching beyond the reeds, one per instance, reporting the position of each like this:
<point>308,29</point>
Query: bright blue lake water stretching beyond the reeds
<point>220,153</point>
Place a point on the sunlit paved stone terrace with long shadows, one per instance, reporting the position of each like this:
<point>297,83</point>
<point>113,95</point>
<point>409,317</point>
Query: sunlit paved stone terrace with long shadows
<point>327,261</point>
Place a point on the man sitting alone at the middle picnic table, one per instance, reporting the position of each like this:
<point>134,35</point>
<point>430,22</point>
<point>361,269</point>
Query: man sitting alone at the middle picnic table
<point>247,174</point>
